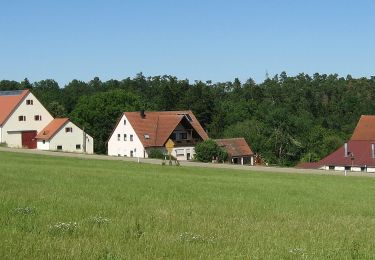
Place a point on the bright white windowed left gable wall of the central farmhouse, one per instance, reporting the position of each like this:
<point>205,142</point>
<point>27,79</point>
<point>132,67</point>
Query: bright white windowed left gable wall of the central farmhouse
<point>123,148</point>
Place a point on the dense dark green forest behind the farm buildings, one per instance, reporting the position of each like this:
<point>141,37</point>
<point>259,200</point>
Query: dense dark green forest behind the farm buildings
<point>284,119</point>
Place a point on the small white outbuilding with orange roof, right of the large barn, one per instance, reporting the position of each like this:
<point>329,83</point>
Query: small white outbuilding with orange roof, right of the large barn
<point>62,135</point>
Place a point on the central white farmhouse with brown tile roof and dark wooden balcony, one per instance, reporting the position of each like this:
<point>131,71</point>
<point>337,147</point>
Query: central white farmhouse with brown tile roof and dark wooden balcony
<point>138,132</point>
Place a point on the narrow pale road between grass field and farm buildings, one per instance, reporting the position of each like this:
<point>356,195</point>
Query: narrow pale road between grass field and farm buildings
<point>189,163</point>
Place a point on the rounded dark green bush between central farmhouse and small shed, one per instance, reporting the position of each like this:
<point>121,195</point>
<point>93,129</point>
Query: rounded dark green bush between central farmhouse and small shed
<point>208,150</point>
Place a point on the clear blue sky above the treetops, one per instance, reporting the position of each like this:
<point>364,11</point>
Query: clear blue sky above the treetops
<point>198,40</point>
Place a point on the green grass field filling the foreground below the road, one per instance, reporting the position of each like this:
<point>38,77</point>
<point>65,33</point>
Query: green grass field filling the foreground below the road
<point>67,208</point>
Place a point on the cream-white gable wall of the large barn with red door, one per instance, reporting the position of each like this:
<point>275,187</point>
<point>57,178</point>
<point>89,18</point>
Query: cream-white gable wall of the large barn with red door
<point>12,124</point>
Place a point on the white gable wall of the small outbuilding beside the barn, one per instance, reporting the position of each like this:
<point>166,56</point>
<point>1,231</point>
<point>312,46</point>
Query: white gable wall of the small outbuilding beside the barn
<point>69,140</point>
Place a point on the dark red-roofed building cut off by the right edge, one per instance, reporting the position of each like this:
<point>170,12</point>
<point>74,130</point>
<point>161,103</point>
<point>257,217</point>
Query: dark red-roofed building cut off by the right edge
<point>358,154</point>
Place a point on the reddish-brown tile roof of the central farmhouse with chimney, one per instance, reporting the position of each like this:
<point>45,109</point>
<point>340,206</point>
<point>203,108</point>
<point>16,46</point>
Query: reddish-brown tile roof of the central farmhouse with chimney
<point>160,125</point>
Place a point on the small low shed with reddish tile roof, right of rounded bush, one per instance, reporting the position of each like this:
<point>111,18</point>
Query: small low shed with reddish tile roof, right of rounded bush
<point>239,152</point>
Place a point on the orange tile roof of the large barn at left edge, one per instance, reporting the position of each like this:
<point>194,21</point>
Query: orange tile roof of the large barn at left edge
<point>9,101</point>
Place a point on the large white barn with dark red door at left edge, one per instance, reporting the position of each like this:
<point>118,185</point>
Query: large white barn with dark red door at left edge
<point>22,116</point>
